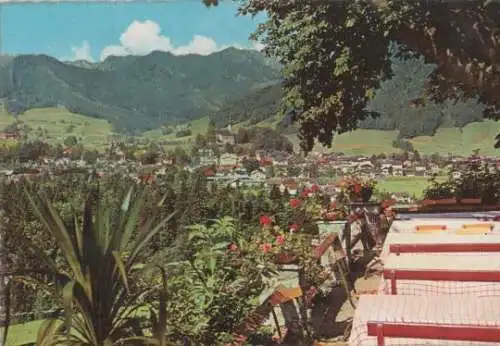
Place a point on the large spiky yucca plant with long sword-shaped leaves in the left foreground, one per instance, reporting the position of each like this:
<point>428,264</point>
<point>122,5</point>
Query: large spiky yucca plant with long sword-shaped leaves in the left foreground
<point>101,253</point>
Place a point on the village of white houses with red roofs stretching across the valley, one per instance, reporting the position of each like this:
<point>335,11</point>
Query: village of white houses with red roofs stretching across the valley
<point>268,168</point>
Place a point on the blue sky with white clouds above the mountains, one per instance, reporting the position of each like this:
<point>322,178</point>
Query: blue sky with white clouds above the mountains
<point>94,30</point>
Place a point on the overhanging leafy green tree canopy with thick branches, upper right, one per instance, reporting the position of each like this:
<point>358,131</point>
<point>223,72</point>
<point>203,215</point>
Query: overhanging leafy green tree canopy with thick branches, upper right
<point>336,53</point>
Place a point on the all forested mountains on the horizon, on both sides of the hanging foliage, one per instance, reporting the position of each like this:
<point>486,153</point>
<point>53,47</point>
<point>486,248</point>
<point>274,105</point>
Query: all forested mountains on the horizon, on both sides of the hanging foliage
<point>140,93</point>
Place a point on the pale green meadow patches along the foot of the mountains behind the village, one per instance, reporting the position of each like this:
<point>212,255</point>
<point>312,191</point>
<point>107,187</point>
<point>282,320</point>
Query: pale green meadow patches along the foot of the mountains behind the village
<point>94,133</point>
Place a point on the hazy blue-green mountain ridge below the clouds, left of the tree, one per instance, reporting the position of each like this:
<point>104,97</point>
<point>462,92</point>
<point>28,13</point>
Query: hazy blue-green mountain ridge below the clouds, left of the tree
<point>136,93</point>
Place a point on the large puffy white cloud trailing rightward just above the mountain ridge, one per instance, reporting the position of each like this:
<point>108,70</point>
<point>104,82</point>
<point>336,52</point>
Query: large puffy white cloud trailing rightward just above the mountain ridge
<point>142,38</point>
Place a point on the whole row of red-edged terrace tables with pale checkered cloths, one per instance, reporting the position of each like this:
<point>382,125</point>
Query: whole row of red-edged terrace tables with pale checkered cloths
<point>428,261</point>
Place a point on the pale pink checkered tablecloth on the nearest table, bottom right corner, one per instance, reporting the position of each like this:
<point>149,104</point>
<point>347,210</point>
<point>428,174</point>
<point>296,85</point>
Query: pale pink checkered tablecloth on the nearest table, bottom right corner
<point>466,310</point>
